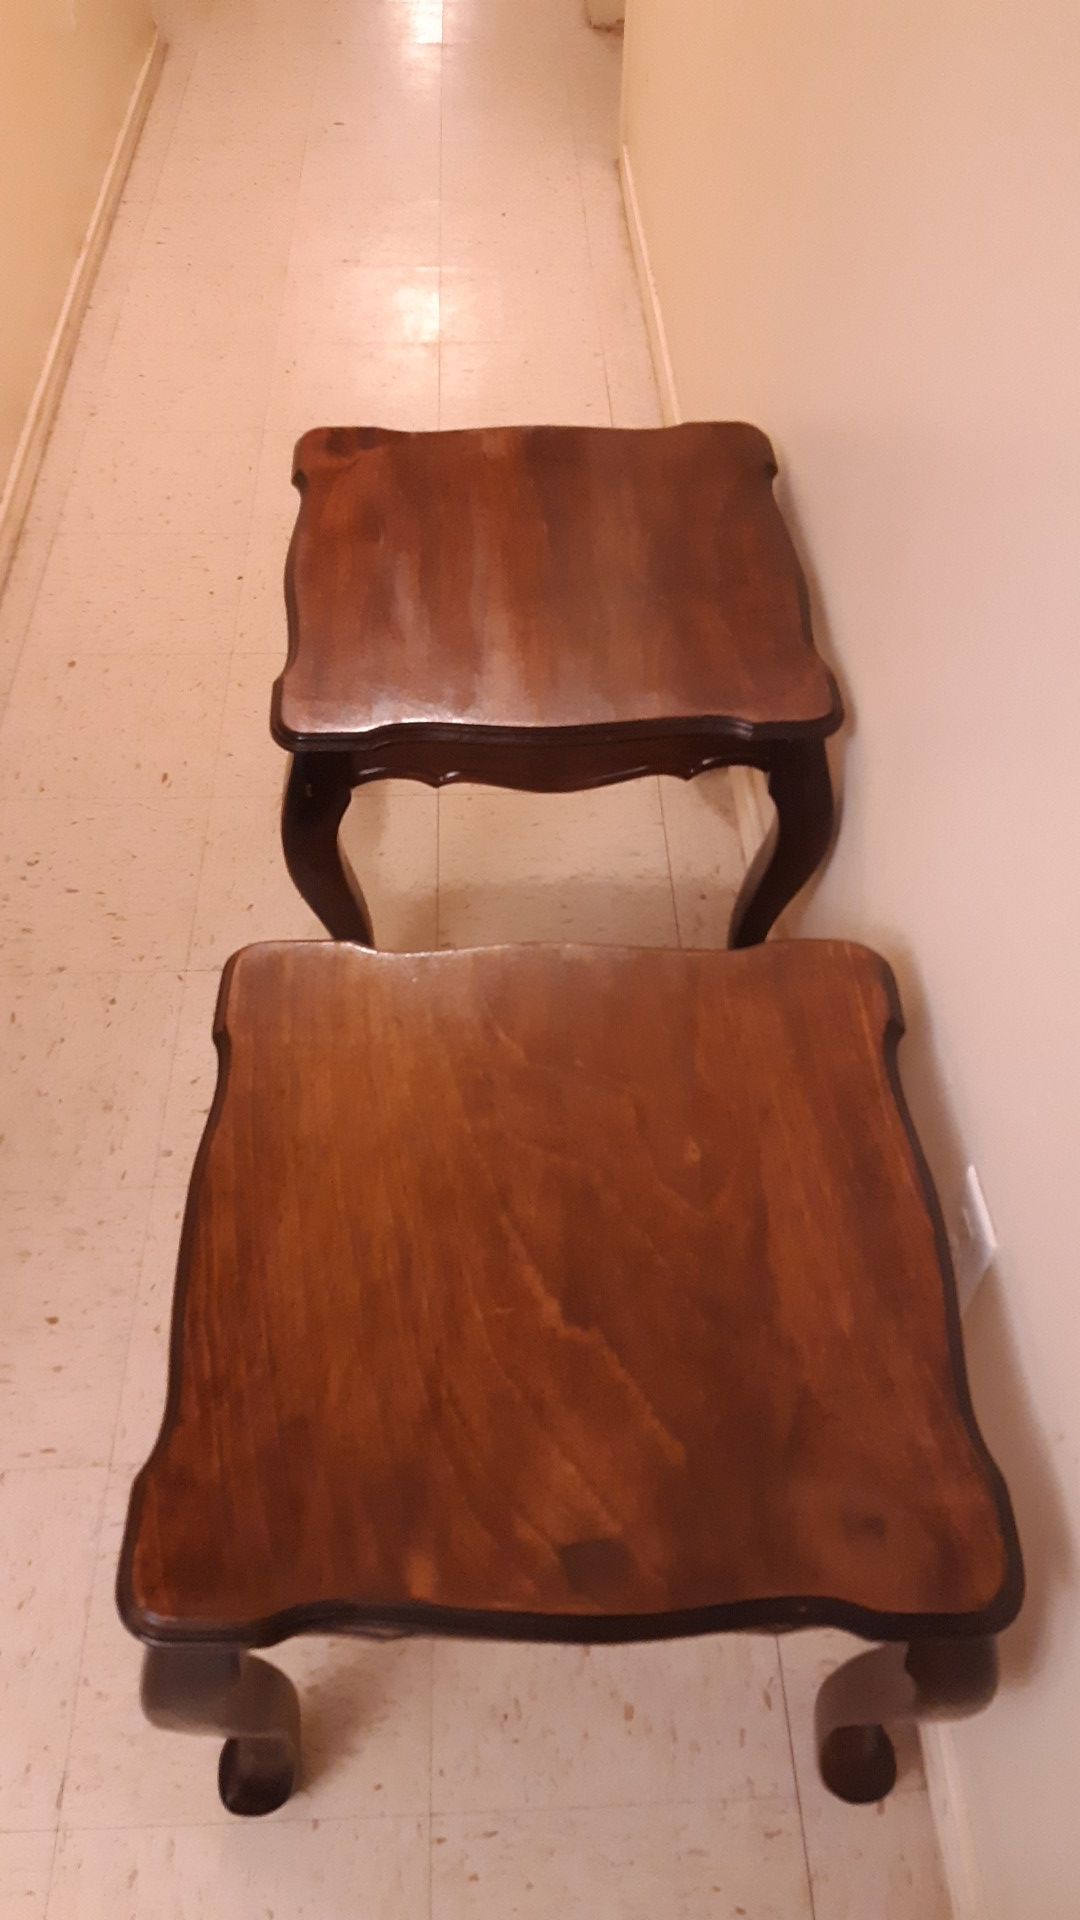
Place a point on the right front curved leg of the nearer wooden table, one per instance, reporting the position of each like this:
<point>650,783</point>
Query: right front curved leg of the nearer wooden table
<point>925,1681</point>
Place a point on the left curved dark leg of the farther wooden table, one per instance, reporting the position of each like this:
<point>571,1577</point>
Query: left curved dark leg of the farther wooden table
<point>316,798</point>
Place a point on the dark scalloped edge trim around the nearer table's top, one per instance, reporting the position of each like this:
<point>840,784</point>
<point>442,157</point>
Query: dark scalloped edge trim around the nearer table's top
<point>772,1616</point>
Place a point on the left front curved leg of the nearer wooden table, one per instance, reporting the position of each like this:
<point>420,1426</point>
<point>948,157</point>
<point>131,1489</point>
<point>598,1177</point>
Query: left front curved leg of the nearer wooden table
<point>224,1691</point>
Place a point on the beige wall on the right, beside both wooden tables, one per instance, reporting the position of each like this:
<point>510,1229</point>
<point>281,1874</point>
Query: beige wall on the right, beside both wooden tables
<point>864,224</point>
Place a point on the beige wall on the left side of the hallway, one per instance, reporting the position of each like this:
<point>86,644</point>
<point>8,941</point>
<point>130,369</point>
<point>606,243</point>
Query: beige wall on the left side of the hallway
<point>66,76</point>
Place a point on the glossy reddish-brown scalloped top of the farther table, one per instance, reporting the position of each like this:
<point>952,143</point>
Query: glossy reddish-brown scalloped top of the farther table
<point>545,579</point>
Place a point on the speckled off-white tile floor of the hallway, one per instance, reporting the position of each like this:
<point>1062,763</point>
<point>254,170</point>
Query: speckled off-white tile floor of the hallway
<point>343,210</point>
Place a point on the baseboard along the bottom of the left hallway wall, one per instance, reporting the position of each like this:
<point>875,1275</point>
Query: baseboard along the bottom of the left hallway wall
<point>41,414</point>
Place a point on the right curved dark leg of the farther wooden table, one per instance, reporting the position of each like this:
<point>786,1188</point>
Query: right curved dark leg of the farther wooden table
<point>802,794</point>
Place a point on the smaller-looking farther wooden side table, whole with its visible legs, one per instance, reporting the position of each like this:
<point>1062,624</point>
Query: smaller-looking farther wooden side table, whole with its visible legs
<point>547,608</point>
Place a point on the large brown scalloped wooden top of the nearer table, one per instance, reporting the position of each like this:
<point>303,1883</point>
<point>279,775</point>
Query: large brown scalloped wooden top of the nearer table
<point>574,1293</point>
